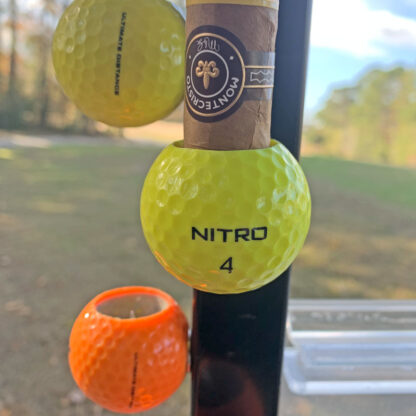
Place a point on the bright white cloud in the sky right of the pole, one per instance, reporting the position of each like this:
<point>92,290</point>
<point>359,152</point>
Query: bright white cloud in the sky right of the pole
<point>351,26</point>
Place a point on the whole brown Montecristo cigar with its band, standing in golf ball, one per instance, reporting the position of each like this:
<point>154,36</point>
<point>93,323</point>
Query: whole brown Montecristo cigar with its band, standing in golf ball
<point>229,73</point>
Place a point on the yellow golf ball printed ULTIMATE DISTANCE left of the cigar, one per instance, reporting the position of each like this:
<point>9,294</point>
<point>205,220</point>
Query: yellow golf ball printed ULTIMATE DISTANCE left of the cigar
<point>121,62</point>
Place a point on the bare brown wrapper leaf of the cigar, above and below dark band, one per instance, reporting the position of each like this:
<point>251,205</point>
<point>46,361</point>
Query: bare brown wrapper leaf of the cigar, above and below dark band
<point>249,126</point>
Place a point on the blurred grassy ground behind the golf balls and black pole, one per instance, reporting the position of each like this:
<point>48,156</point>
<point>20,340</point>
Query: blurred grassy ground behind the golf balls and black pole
<point>69,228</point>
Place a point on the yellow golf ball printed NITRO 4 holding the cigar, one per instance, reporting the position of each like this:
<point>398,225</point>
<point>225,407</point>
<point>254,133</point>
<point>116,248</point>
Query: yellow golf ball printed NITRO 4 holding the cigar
<point>225,222</point>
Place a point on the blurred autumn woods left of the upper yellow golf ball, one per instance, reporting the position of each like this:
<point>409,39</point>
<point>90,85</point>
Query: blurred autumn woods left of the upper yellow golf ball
<point>29,95</point>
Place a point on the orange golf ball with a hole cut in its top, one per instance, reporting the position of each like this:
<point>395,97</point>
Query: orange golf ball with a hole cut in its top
<point>128,349</point>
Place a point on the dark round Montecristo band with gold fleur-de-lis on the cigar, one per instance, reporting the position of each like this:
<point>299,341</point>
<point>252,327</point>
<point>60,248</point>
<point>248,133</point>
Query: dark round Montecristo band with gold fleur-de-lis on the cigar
<point>221,74</point>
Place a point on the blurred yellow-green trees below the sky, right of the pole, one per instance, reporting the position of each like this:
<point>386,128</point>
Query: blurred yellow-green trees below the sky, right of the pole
<point>374,120</point>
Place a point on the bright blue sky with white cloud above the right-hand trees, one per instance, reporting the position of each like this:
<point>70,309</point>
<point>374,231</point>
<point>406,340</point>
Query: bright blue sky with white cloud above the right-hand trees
<point>350,36</point>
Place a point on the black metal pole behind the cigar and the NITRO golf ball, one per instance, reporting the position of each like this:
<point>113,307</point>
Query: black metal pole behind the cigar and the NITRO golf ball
<point>238,340</point>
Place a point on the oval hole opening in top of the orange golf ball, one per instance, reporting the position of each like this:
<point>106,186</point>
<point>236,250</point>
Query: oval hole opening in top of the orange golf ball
<point>132,306</point>
